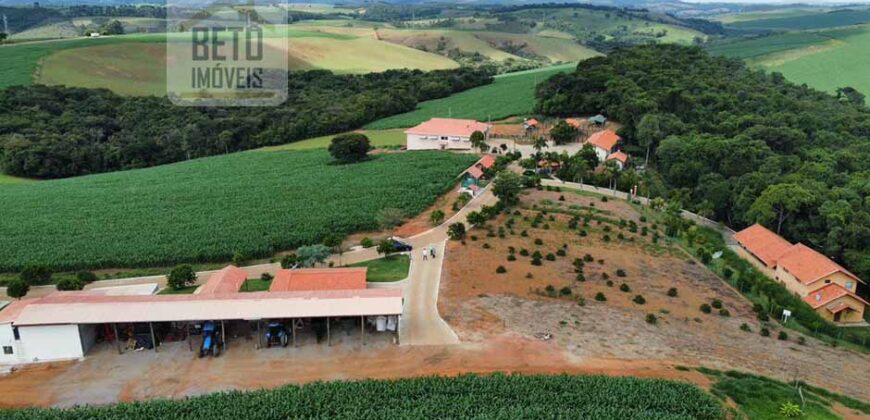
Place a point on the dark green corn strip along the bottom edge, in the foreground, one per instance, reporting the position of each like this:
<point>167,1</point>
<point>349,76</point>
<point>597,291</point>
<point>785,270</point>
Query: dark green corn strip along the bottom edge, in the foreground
<point>468,396</point>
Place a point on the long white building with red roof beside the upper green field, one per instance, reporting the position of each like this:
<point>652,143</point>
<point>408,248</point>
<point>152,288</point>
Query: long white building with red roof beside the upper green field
<point>444,134</point>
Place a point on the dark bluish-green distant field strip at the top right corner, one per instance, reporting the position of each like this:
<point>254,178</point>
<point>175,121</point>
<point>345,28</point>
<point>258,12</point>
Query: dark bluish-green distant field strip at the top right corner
<point>819,20</point>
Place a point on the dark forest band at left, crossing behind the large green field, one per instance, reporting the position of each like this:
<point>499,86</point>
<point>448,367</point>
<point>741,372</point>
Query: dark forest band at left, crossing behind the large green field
<point>54,132</point>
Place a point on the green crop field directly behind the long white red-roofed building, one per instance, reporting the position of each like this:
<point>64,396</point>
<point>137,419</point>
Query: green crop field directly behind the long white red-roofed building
<point>510,94</point>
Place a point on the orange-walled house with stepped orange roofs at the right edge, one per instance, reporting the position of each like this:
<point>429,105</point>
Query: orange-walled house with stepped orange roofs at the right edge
<point>826,286</point>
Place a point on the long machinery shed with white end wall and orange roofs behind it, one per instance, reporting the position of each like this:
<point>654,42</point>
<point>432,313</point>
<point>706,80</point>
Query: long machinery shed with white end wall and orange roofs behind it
<point>64,325</point>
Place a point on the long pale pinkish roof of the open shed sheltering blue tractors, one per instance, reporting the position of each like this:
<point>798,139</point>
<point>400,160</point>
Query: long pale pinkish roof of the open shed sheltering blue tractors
<point>83,308</point>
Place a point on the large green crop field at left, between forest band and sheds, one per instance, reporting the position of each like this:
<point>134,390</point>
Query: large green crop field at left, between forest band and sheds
<point>205,210</point>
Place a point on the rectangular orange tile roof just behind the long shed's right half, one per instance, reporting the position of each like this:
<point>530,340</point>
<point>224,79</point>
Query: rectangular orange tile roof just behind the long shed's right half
<point>319,279</point>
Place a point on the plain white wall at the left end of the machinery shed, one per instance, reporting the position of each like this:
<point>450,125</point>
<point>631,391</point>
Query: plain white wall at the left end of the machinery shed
<point>50,342</point>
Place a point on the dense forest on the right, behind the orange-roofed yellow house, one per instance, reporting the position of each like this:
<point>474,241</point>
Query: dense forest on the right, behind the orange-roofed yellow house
<point>735,144</point>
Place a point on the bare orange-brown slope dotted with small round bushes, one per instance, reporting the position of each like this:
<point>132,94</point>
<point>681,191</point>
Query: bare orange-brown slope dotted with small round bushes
<point>616,292</point>
